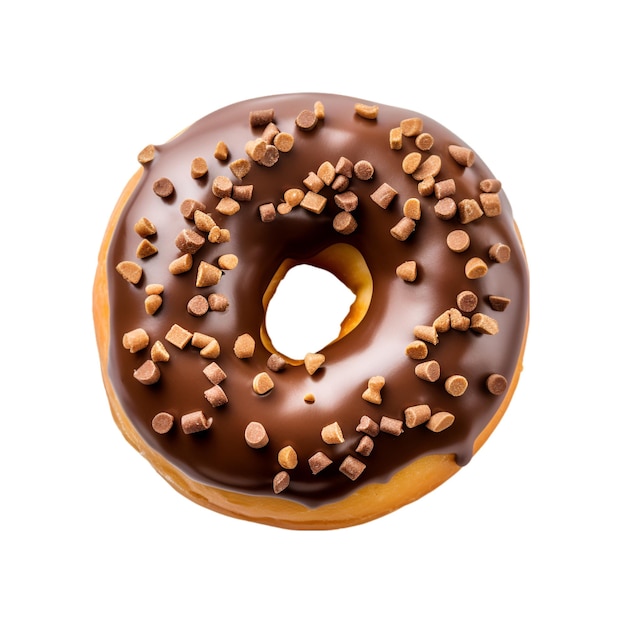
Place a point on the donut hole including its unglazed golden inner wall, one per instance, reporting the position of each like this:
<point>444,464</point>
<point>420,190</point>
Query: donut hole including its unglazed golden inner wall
<point>313,303</point>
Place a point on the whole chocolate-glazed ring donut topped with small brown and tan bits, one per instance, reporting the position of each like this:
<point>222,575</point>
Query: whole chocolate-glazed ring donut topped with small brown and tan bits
<point>400,210</point>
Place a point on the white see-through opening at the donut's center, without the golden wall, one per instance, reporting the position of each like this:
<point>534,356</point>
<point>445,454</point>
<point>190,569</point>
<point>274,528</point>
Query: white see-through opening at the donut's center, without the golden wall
<point>307,310</point>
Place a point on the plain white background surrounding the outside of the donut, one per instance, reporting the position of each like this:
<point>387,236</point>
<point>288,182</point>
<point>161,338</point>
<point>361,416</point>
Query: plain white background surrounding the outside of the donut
<point>532,531</point>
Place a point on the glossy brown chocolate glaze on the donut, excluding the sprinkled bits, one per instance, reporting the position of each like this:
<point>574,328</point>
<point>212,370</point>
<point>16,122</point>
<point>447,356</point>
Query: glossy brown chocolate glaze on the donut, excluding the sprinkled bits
<point>220,456</point>
